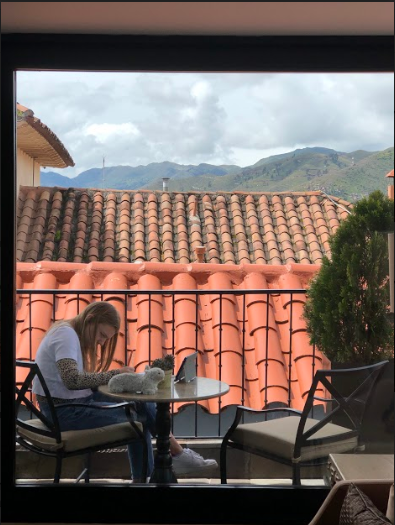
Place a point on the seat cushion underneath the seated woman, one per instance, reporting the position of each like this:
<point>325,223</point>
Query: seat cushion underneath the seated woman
<point>73,440</point>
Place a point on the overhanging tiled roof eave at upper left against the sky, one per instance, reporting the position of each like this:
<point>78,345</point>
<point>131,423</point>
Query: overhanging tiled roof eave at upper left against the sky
<point>39,142</point>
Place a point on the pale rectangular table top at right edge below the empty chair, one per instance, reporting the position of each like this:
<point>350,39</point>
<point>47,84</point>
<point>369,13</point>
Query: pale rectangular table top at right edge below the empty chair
<point>362,466</point>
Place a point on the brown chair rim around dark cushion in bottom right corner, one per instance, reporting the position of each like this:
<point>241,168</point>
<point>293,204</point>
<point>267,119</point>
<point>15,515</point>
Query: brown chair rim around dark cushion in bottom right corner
<point>329,512</point>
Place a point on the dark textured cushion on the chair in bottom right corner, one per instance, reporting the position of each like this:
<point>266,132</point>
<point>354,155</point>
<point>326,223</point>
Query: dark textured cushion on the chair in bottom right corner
<point>358,509</point>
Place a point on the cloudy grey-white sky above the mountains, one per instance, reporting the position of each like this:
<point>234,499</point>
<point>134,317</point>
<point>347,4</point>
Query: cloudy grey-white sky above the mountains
<point>218,118</point>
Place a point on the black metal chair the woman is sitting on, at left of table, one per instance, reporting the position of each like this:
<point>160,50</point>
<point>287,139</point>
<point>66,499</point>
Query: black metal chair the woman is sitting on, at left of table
<point>42,436</point>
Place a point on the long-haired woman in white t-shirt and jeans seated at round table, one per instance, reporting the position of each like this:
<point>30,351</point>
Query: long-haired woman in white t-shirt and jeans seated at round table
<point>73,368</point>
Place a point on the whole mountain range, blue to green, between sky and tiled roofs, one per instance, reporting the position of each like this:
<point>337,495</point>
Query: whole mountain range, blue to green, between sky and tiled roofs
<point>347,175</point>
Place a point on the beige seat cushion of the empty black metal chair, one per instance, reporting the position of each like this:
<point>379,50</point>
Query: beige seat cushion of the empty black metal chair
<point>277,437</point>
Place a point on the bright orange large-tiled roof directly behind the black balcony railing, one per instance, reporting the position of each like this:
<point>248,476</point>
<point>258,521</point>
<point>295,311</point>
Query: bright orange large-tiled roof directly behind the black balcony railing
<point>261,326</point>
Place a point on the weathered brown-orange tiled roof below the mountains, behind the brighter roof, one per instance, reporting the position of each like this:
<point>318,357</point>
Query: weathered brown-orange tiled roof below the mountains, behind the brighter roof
<point>87,225</point>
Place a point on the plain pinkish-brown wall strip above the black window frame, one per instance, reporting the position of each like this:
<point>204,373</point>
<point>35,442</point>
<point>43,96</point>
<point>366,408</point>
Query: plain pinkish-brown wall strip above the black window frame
<point>200,18</point>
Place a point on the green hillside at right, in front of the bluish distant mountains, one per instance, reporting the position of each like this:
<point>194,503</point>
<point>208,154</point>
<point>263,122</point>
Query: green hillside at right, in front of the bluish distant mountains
<point>347,175</point>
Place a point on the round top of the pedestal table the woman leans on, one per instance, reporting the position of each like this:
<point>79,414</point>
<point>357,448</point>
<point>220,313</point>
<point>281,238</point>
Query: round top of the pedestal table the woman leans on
<point>197,389</point>
